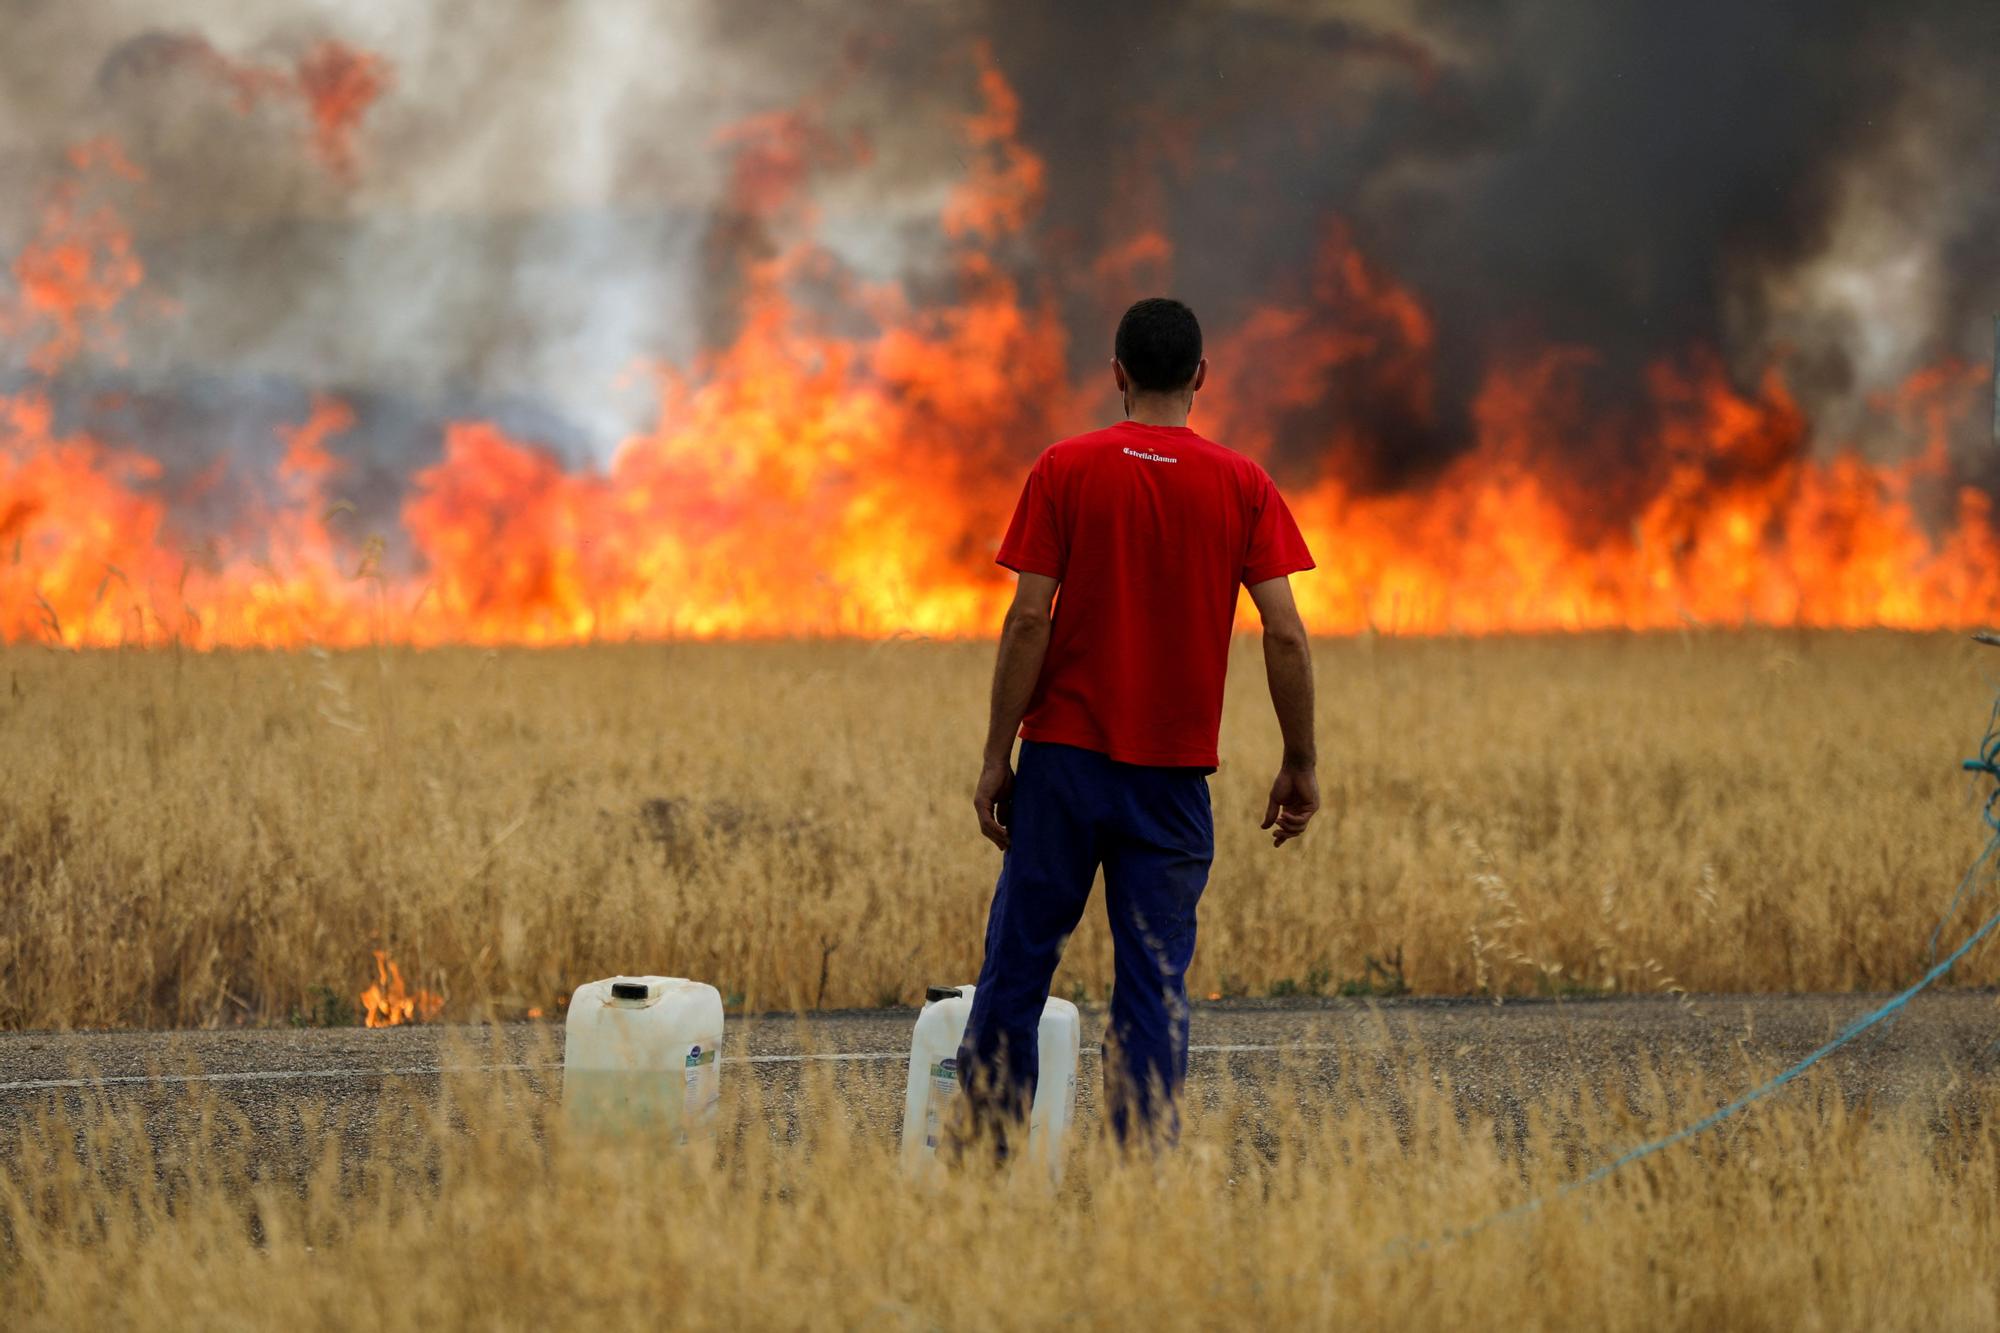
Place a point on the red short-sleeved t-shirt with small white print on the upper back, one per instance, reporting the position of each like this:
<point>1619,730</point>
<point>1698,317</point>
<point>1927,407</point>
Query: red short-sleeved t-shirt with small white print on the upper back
<point>1151,531</point>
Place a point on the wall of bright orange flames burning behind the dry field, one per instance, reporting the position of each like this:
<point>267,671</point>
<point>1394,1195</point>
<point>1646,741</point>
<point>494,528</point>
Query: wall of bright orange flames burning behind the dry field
<point>851,473</point>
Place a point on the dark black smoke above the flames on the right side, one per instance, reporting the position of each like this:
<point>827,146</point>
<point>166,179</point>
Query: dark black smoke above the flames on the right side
<point>1803,181</point>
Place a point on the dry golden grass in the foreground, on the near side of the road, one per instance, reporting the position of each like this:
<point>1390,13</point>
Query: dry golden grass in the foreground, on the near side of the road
<point>479,1210</point>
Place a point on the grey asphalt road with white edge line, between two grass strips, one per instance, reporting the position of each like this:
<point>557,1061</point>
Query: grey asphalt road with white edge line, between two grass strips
<point>1489,1058</point>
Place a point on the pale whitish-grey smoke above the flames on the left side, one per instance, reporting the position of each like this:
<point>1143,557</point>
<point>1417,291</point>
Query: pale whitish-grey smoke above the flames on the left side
<point>529,213</point>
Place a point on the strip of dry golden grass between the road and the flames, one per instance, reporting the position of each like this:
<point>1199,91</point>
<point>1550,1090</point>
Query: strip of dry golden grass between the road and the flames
<point>193,840</point>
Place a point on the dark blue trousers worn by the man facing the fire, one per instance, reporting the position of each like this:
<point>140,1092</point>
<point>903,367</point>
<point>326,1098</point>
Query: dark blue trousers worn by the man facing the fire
<point>1155,836</point>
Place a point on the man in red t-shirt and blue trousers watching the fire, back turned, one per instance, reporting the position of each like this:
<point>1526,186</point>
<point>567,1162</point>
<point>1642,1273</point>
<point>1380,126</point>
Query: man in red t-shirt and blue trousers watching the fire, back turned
<point>1131,545</point>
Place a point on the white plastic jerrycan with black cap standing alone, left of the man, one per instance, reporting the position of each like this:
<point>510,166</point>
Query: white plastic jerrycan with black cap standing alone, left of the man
<point>643,1054</point>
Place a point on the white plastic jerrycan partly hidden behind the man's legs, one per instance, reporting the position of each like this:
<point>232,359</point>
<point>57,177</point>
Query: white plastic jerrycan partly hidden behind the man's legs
<point>935,1080</point>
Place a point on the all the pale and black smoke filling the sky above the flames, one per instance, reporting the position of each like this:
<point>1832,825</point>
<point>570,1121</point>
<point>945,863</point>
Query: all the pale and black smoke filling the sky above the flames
<point>545,199</point>
